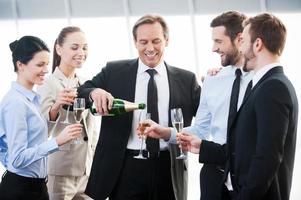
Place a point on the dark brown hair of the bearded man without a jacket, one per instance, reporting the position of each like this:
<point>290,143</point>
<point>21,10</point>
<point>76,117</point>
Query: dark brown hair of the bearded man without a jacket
<point>232,21</point>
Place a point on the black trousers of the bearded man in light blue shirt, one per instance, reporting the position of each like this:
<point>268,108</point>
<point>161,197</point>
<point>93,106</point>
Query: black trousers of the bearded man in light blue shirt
<point>211,182</point>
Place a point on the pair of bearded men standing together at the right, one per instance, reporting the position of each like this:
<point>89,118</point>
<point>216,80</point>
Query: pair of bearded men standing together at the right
<point>250,110</point>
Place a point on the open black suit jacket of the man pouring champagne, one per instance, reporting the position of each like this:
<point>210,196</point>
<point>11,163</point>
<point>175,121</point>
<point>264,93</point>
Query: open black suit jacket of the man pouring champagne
<point>119,78</point>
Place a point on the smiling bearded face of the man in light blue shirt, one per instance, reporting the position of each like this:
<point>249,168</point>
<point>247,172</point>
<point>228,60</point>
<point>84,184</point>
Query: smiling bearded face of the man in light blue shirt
<point>223,45</point>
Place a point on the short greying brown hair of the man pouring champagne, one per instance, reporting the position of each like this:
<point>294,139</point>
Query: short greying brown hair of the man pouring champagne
<point>151,19</point>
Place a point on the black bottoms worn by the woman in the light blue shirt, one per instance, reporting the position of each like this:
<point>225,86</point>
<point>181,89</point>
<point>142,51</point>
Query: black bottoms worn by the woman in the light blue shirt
<point>16,187</point>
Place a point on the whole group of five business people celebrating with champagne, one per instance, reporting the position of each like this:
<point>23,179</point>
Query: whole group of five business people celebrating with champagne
<point>252,152</point>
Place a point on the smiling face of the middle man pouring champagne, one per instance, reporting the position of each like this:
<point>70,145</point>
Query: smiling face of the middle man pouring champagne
<point>150,43</point>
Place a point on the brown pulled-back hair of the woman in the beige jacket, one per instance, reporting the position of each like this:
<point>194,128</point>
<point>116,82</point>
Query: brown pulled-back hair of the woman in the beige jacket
<point>60,41</point>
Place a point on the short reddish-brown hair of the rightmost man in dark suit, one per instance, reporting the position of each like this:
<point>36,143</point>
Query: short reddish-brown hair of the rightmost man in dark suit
<point>270,30</point>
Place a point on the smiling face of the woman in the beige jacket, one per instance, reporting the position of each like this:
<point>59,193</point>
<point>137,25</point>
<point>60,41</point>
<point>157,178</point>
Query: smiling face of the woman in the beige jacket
<point>74,50</point>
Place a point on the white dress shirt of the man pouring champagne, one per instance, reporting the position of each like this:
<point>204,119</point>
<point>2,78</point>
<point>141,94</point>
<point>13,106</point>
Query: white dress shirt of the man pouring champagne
<point>141,96</point>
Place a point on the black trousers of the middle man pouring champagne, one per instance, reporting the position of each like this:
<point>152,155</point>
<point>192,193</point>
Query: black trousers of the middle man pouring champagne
<point>148,179</point>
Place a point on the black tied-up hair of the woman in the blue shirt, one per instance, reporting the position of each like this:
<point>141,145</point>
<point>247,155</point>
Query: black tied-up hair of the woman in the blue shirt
<point>25,48</point>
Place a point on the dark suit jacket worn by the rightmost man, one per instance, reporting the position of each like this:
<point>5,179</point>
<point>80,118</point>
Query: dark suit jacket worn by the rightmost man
<point>260,148</point>
